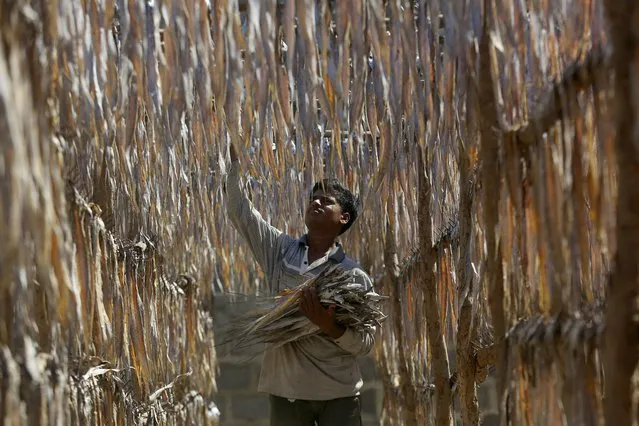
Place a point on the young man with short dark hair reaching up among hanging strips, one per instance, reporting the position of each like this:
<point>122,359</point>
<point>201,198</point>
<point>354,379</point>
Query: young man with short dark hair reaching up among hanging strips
<point>315,380</point>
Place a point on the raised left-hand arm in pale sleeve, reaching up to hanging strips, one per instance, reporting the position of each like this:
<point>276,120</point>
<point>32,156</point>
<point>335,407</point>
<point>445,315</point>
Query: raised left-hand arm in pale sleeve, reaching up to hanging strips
<point>265,241</point>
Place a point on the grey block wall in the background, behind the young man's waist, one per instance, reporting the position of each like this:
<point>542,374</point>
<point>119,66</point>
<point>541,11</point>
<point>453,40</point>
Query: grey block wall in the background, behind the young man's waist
<point>241,405</point>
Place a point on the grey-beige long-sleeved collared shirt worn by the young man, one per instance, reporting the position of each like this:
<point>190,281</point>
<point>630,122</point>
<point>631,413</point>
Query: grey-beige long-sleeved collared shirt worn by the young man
<point>317,367</point>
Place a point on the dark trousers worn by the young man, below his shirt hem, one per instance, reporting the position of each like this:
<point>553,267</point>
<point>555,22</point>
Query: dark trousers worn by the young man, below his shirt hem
<point>334,412</point>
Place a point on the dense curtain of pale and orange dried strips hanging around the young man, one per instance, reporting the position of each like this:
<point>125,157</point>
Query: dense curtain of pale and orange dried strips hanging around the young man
<point>460,113</point>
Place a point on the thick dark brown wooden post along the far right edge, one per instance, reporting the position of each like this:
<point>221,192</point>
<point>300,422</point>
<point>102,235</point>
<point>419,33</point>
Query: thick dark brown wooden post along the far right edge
<point>620,350</point>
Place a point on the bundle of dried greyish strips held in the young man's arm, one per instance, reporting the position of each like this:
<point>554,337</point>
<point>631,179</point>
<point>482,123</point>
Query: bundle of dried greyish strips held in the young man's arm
<point>278,319</point>
